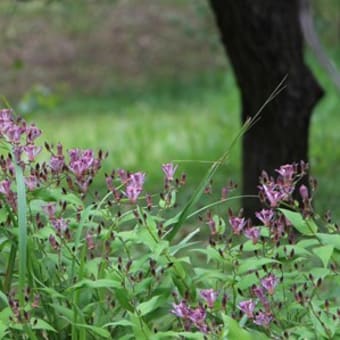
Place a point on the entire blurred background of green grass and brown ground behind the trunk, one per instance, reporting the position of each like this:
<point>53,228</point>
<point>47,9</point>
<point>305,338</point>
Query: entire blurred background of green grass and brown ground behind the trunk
<point>99,77</point>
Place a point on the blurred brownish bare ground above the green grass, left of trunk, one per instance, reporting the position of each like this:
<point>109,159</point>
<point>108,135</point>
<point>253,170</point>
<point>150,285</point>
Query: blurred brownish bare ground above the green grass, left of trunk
<point>100,48</point>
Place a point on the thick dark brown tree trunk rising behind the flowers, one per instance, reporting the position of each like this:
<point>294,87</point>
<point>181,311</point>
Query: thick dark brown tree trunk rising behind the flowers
<point>264,43</point>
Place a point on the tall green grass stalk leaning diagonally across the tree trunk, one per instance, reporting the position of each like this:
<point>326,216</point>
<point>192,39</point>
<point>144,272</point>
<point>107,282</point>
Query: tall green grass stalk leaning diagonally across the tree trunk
<point>179,220</point>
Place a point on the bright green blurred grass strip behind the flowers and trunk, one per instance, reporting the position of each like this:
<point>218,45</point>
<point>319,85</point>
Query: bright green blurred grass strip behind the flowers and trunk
<point>191,124</point>
